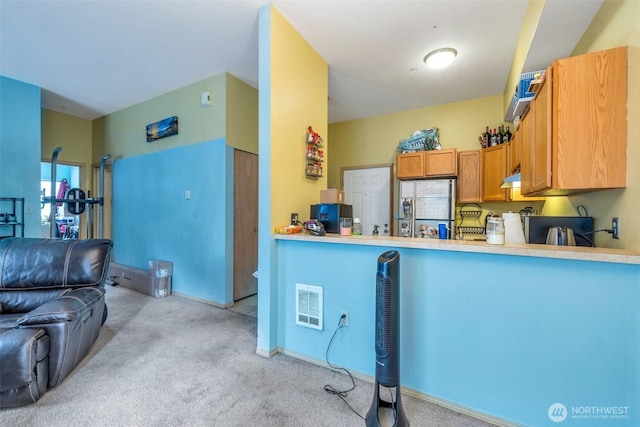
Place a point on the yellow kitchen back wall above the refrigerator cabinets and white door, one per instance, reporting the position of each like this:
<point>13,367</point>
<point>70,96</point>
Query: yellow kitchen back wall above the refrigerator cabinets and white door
<point>374,140</point>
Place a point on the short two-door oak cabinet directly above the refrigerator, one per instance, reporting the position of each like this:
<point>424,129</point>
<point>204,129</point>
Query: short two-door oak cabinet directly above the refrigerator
<point>427,164</point>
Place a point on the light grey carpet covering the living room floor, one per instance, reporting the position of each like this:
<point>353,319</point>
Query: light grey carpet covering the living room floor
<point>178,362</point>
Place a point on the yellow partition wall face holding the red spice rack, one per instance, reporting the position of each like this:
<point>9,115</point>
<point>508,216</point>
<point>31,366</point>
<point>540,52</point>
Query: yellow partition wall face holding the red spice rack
<point>299,90</point>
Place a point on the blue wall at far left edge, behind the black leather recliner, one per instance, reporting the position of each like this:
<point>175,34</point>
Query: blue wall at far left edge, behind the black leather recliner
<point>20,129</point>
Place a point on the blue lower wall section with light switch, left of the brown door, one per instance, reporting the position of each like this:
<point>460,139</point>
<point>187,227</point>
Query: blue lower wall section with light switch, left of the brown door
<point>152,220</point>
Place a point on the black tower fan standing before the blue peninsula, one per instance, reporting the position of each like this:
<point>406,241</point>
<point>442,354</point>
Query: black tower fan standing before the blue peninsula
<point>387,341</point>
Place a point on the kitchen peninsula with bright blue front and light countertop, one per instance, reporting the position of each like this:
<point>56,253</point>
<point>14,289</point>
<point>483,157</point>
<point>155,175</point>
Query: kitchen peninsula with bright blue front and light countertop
<point>500,332</point>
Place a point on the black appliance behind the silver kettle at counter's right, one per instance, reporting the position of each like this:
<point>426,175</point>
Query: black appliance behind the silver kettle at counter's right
<point>536,229</point>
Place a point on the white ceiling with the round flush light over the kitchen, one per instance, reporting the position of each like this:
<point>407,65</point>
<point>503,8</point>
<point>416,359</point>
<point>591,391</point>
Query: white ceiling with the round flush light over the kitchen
<point>94,57</point>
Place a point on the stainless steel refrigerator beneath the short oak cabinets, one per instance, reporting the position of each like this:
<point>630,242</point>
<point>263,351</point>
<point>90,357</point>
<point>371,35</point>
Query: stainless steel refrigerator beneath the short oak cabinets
<point>424,204</point>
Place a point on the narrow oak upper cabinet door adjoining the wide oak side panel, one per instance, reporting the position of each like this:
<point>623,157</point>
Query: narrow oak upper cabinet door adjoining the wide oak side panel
<point>541,142</point>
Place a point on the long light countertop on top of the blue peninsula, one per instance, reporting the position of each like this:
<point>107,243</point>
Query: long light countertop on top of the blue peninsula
<point>580,253</point>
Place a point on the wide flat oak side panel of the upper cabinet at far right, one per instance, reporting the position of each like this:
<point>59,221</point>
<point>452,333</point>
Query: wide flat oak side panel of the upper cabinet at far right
<point>590,120</point>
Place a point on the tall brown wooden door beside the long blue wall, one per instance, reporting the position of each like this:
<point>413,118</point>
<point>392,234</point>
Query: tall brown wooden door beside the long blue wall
<point>245,224</point>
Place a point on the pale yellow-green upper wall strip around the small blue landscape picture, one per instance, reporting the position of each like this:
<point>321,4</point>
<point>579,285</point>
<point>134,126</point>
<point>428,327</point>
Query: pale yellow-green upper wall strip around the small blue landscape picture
<point>122,134</point>
